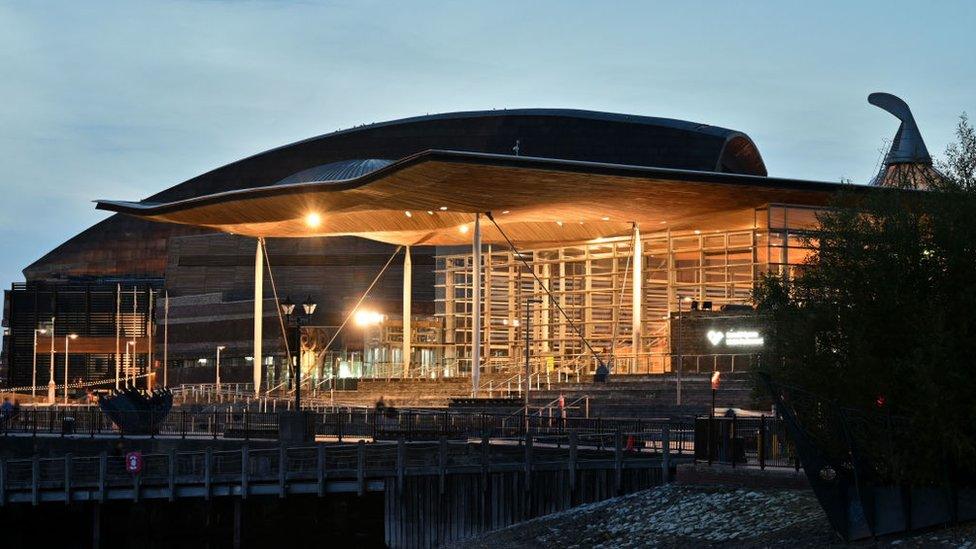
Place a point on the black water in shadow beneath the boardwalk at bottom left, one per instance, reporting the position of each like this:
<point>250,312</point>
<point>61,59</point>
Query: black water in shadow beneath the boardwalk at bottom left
<point>339,520</point>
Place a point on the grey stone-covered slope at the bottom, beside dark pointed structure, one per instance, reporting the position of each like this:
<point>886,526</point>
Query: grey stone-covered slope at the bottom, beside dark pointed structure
<point>675,516</point>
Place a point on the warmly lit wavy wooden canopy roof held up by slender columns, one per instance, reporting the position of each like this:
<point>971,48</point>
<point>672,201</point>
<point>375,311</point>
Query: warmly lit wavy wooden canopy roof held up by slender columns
<point>431,198</point>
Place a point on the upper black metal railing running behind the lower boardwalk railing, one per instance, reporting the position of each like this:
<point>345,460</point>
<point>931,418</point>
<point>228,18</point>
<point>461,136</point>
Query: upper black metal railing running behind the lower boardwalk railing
<point>635,435</point>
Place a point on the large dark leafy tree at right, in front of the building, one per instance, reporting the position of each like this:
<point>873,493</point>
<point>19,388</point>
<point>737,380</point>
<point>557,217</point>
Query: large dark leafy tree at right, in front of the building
<point>882,316</point>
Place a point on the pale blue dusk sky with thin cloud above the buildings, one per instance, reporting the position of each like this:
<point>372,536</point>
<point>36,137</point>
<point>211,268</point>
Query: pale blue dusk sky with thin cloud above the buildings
<point>123,99</point>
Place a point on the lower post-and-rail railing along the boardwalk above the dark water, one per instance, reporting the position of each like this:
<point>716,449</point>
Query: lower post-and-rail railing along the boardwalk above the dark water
<point>282,471</point>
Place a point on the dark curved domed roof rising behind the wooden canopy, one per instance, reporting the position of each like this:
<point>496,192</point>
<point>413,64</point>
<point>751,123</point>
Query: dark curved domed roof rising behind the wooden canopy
<point>565,134</point>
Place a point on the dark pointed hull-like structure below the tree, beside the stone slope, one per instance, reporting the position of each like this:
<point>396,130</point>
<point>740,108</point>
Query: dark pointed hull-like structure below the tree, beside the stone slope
<point>852,460</point>
